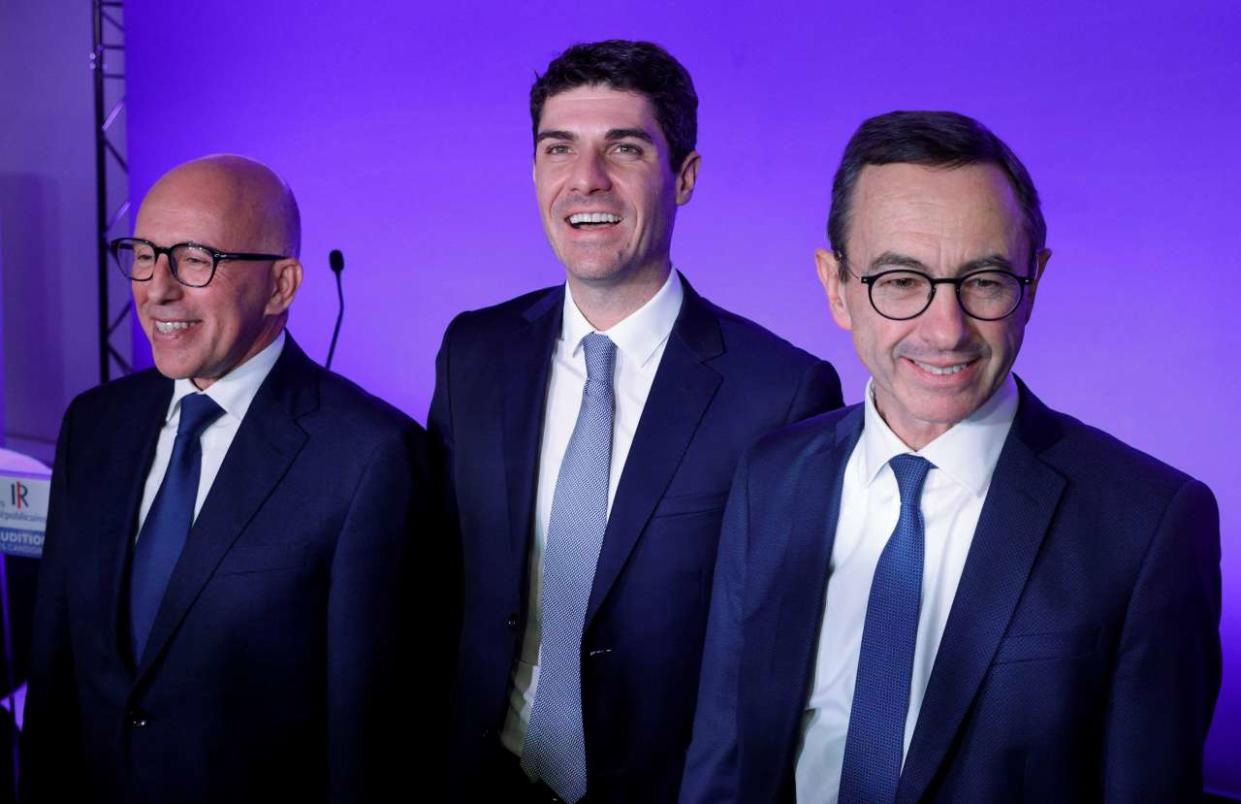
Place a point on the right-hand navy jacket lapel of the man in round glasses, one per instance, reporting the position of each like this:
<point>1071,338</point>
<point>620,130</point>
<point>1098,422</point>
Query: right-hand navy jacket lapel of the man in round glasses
<point>1016,518</point>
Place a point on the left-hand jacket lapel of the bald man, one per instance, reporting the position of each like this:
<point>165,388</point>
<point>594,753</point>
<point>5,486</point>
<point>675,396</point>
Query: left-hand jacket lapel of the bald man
<point>130,458</point>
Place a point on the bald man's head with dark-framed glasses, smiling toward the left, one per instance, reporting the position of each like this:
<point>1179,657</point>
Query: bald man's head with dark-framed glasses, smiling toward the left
<point>234,207</point>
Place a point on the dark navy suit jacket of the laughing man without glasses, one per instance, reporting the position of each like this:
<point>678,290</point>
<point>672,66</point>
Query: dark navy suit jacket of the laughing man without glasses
<point>723,382</point>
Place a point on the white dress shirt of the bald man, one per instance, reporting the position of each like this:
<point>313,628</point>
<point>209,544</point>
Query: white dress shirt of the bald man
<point>234,393</point>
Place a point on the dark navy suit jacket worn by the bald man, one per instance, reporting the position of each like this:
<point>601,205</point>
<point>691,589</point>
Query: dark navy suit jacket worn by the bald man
<point>276,667</point>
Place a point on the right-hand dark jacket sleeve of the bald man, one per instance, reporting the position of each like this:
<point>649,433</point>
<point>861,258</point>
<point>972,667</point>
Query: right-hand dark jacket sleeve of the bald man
<point>377,661</point>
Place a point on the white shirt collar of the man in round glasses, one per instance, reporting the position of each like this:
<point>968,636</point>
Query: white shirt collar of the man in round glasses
<point>967,452</point>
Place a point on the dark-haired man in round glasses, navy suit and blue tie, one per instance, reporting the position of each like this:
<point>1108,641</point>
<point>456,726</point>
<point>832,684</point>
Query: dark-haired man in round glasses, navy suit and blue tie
<point>950,592</point>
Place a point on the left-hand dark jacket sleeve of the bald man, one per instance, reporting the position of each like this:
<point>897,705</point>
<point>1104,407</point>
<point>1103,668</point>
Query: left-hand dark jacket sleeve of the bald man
<point>52,740</point>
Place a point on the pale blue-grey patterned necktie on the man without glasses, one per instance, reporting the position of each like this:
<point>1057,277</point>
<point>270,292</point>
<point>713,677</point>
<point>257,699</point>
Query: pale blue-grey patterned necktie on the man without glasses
<point>555,748</point>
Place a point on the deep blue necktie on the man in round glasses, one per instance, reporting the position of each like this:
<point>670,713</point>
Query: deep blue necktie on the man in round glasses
<point>882,695</point>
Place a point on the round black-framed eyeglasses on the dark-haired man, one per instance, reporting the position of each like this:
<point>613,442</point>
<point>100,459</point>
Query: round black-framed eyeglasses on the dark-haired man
<point>990,295</point>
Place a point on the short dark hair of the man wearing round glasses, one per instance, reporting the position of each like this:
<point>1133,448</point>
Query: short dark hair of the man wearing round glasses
<point>936,140</point>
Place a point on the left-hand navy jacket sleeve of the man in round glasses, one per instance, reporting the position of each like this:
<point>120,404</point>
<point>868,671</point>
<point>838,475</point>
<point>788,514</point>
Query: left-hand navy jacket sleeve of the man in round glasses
<point>712,764</point>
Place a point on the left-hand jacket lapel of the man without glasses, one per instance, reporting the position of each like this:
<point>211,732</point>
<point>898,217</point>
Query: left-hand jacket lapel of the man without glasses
<point>524,399</point>
